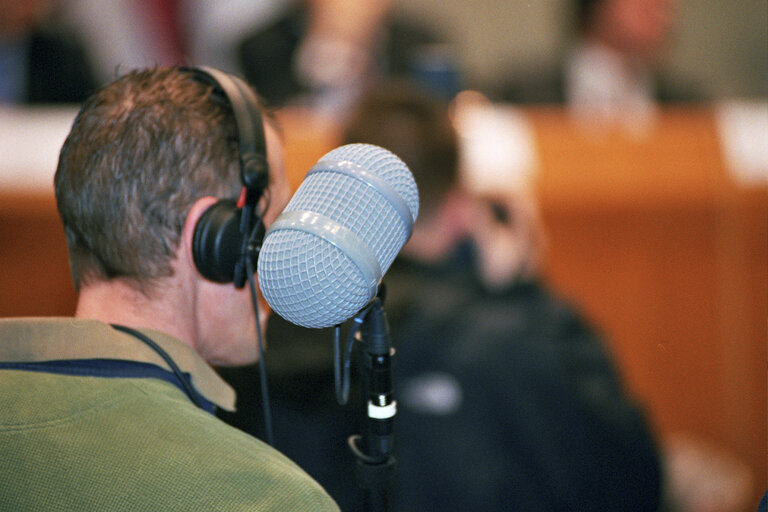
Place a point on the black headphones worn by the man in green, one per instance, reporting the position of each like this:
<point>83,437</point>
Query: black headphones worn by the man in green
<point>230,231</point>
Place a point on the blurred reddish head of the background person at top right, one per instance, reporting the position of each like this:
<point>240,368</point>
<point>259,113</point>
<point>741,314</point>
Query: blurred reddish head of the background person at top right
<point>639,29</point>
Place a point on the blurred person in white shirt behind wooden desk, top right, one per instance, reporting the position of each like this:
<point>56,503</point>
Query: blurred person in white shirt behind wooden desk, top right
<point>611,72</point>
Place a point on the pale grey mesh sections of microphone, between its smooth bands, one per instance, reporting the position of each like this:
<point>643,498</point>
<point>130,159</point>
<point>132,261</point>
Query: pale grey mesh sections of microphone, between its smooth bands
<point>305,278</point>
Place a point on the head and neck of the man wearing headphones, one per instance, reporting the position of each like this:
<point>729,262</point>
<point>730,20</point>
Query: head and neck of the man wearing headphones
<point>146,156</point>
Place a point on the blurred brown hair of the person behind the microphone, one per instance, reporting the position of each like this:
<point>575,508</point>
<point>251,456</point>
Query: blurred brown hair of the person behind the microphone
<point>415,126</point>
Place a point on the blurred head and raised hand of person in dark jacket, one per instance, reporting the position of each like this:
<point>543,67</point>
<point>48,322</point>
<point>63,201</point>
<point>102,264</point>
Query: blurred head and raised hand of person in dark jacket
<point>417,126</point>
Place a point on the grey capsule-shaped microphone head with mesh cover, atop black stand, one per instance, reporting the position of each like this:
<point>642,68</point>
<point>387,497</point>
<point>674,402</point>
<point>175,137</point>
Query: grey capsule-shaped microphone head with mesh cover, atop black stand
<point>323,258</point>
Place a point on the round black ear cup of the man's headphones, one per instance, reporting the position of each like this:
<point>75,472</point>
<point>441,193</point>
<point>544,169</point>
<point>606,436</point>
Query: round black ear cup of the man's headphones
<point>217,240</point>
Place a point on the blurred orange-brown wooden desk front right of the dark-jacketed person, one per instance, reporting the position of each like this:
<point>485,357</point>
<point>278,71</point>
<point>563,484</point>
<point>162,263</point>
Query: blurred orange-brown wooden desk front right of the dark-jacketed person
<point>669,257</point>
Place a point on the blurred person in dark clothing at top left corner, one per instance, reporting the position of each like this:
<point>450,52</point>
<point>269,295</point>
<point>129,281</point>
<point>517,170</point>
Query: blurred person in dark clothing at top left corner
<point>40,62</point>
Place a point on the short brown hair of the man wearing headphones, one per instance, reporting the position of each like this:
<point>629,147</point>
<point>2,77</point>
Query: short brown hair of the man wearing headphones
<point>140,152</point>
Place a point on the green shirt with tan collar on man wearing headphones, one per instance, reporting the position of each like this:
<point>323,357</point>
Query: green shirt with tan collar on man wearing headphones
<point>81,443</point>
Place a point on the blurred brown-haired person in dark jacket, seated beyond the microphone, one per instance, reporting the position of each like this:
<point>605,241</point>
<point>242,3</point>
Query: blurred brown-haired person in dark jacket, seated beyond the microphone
<point>507,399</point>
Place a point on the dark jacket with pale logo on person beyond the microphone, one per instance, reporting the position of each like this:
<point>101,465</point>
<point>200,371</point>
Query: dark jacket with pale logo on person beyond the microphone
<point>506,402</point>
